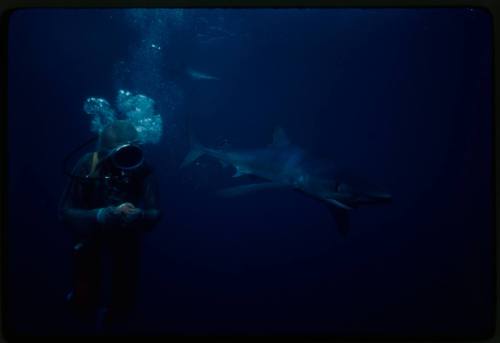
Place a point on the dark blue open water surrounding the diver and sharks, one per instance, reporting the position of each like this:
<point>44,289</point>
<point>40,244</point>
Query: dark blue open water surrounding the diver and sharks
<point>401,97</point>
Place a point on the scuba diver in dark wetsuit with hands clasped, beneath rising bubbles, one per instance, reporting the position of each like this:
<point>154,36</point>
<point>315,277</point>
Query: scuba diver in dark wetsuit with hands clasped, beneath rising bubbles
<point>109,203</point>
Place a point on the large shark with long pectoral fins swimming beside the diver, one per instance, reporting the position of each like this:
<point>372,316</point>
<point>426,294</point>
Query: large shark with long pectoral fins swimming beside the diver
<point>282,165</point>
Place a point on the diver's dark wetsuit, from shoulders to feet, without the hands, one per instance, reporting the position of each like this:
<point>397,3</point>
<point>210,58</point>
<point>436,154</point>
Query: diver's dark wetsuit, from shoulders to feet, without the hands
<point>106,251</point>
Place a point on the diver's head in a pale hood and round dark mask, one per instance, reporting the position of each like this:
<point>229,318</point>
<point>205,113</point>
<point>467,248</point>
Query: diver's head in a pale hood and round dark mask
<point>118,143</point>
